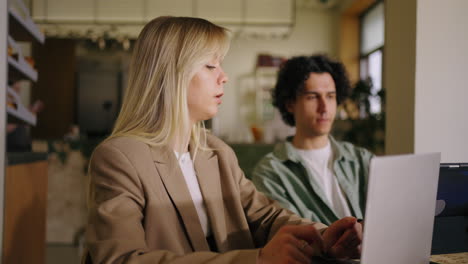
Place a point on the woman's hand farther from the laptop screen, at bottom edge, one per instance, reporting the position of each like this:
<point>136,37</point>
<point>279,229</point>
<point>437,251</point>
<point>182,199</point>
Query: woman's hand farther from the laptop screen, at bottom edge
<point>292,244</point>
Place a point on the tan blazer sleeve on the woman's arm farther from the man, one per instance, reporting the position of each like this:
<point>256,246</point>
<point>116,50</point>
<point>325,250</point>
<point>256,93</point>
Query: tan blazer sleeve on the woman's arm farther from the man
<point>116,202</point>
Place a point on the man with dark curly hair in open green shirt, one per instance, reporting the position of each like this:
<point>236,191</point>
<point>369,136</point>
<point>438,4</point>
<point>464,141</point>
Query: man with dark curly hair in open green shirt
<point>311,173</point>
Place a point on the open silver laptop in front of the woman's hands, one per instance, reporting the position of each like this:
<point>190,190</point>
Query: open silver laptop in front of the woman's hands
<point>400,210</point>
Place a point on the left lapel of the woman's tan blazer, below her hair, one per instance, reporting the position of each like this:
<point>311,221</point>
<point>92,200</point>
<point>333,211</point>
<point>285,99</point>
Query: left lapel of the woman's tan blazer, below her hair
<point>176,187</point>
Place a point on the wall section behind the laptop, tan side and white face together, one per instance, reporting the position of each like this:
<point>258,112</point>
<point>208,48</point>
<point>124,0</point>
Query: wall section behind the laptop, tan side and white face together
<point>426,58</point>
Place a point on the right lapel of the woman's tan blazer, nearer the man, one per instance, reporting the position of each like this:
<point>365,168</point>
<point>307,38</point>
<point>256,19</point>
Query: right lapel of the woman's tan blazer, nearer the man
<point>207,169</point>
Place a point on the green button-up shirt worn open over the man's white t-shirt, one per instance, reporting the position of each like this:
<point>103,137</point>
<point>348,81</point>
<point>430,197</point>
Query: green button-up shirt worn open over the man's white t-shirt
<point>283,176</point>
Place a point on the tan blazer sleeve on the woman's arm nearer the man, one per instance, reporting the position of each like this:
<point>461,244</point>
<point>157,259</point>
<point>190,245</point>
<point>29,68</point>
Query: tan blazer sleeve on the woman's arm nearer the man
<point>265,216</point>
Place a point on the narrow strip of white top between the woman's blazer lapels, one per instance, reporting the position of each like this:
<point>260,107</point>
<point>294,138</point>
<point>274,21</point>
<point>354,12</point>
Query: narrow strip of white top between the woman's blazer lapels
<point>186,165</point>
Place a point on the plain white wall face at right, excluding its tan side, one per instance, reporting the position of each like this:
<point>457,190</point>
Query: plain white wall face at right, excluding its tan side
<point>441,110</point>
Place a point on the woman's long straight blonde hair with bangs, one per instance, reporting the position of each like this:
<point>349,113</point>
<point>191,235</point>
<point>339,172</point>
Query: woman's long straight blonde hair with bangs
<point>167,54</point>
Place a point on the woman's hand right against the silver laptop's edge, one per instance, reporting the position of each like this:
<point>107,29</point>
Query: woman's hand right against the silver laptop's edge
<point>343,238</point>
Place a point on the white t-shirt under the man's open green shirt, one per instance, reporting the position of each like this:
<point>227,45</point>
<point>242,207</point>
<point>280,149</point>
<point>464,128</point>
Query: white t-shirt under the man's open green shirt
<point>319,161</point>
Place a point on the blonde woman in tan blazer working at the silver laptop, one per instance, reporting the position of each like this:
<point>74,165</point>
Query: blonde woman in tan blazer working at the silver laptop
<point>163,190</point>
